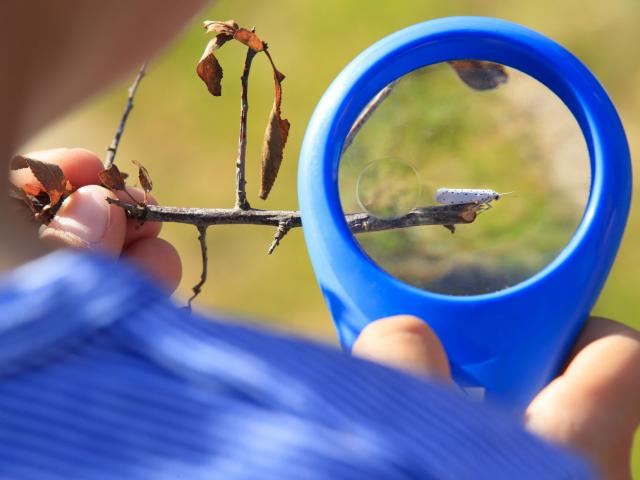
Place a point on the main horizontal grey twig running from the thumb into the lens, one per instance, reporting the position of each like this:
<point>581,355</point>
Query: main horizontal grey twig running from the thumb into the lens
<point>357,222</point>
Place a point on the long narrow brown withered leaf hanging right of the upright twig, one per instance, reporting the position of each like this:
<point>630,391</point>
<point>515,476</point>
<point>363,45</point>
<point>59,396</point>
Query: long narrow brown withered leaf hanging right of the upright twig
<point>275,137</point>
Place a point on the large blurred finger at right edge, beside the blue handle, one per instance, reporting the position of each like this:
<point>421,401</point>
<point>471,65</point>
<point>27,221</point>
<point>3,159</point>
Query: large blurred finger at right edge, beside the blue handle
<point>594,406</point>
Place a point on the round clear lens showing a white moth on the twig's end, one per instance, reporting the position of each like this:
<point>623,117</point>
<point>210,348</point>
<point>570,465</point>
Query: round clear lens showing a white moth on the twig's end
<point>484,170</point>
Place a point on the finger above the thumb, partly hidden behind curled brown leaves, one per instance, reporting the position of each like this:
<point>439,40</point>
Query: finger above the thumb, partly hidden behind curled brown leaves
<point>80,166</point>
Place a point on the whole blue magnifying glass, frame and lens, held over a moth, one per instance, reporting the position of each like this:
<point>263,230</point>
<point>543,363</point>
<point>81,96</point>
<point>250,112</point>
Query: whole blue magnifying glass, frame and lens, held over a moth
<point>429,128</point>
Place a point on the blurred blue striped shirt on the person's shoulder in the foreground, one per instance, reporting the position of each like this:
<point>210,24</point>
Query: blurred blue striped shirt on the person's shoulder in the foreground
<point>103,377</point>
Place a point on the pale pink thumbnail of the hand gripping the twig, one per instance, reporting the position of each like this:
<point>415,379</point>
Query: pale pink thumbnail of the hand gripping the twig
<point>82,220</point>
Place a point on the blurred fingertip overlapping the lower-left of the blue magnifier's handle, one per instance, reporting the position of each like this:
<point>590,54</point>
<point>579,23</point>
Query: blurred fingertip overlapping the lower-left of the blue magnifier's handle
<point>404,342</point>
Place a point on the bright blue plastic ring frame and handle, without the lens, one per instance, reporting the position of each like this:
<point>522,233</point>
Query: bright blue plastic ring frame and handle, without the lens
<point>513,341</point>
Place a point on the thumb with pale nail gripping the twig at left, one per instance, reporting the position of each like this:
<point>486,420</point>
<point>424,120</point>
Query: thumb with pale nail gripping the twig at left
<point>85,220</point>
